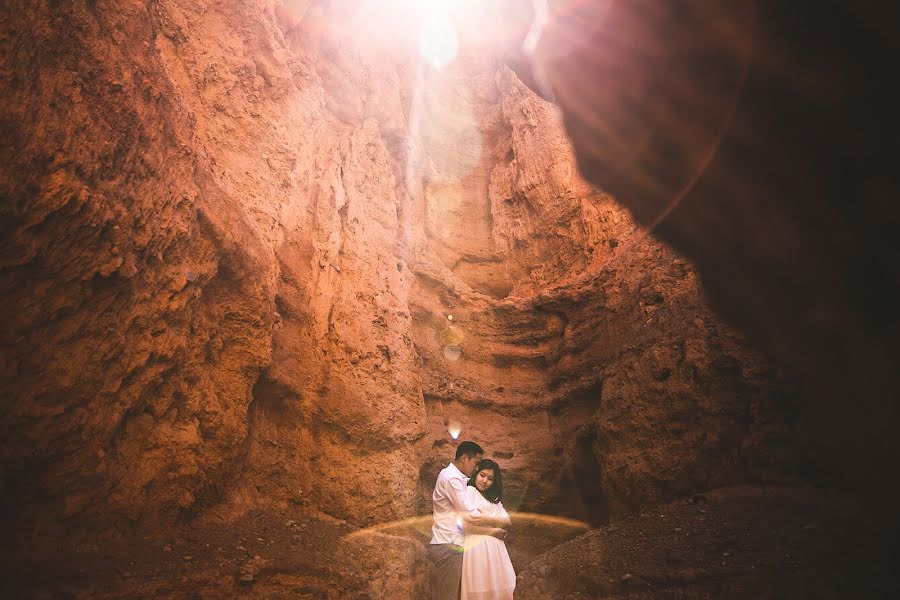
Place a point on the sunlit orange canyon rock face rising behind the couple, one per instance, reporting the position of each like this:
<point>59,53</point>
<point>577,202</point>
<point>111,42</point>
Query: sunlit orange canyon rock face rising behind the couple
<point>249,263</point>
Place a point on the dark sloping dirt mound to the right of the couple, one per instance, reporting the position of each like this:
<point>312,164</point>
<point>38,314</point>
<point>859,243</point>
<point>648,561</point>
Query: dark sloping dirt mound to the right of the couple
<point>735,542</point>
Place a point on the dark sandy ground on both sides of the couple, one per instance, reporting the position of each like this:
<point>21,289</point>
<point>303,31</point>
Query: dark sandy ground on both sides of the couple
<point>740,542</point>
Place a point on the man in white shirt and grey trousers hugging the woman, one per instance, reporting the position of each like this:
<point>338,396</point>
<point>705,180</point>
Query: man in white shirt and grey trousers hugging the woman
<point>452,518</point>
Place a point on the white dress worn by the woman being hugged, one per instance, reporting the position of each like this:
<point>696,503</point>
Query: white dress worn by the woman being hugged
<point>487,570</point>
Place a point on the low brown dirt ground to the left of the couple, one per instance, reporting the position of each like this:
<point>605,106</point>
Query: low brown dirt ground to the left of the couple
<point>271,553</point>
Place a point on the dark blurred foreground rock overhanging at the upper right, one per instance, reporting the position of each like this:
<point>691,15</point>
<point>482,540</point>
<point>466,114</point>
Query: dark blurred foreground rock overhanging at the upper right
<point>747,128</point>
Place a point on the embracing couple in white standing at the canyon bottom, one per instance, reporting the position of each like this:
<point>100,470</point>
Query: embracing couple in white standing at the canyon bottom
<point>467,552</point>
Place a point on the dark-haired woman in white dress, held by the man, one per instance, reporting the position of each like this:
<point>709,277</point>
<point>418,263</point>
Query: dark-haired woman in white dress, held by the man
<point>487,571</point>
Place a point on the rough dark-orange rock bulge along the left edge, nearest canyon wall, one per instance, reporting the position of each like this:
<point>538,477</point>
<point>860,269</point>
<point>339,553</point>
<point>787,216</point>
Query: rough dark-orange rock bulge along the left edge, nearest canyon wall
<point>135,289</point>
